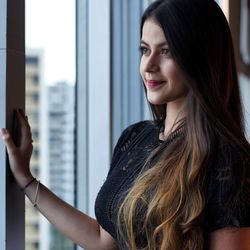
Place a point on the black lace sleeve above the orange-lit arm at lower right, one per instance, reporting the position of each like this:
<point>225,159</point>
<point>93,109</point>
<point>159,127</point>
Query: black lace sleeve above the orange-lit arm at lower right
<point>228,194</point>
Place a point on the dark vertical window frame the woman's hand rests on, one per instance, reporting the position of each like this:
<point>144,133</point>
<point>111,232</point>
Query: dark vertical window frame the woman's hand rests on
<point>12,91</point>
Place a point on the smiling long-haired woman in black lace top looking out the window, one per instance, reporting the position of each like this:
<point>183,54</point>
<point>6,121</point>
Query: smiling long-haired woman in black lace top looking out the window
<point>182,180</point>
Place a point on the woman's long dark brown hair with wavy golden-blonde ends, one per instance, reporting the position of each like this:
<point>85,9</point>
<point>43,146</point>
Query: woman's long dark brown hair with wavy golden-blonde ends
<point>171,192</point>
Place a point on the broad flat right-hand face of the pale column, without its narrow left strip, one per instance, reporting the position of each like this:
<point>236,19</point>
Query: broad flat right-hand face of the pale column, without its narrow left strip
<point>98,96</point>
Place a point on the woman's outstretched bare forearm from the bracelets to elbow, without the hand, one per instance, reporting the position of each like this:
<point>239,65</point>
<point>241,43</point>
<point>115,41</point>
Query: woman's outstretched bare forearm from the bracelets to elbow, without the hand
<point>79,227</point>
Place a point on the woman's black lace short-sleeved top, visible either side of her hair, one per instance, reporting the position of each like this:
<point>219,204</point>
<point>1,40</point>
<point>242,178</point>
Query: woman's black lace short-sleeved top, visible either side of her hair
<point>227,197</point>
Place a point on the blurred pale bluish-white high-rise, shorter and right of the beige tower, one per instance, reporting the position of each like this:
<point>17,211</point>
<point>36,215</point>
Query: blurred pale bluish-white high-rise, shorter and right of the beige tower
<point>61,153</point>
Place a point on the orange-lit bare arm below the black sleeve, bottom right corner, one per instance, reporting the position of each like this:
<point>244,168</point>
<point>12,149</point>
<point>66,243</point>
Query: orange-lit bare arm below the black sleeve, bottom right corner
<point>230,239</point>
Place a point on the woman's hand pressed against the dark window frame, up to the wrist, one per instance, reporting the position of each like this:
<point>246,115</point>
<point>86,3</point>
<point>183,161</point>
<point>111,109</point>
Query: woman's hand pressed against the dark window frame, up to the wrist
<point>19,156</point>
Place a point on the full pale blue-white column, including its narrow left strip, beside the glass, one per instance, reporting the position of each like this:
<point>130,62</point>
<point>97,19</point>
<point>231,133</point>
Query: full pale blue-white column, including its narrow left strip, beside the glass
<point>93,99</point>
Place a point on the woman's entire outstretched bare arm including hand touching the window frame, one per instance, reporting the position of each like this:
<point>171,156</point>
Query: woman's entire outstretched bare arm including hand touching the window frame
<point>79,227</point>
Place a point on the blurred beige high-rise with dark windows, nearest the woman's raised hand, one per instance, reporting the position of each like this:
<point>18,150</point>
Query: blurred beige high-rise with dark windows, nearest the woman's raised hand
<point>33,76</point>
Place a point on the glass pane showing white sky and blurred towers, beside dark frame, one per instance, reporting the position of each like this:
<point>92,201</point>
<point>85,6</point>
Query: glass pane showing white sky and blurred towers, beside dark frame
<point>50,105</point>
